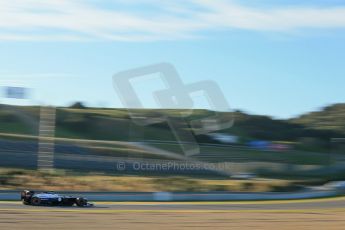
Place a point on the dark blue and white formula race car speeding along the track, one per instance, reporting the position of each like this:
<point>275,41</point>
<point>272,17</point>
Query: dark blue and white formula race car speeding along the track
<point>52,199</point>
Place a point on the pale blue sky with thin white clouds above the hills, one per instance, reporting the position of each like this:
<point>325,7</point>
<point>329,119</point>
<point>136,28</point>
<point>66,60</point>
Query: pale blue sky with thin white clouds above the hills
<point>278,58</point>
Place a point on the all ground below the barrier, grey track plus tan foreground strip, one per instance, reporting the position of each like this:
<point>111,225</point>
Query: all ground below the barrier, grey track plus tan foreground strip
<point>282,215</point>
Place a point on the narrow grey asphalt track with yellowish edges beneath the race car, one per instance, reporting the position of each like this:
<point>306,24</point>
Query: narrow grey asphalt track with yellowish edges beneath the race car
<point>312,204</point>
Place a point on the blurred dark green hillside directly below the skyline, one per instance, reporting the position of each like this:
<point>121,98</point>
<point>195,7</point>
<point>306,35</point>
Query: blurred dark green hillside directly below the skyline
<point>115,124</point>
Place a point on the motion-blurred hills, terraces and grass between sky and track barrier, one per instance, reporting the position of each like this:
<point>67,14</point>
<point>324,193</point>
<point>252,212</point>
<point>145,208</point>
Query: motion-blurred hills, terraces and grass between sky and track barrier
<point>101,149</point>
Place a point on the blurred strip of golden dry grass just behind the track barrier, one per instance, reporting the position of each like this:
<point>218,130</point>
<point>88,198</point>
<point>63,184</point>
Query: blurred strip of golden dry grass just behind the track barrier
<point>61,180</point>
